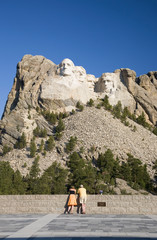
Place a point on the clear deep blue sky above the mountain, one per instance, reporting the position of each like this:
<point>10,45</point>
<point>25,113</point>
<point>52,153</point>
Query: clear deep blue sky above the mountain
<point>100,35</point>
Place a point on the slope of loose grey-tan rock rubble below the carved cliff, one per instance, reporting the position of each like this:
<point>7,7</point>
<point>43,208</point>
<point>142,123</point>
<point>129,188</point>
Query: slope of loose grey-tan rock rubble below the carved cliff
<point>97,129</point>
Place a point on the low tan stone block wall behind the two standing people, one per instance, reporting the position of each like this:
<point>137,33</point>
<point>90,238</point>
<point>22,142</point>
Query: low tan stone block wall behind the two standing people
<point>115,204</point>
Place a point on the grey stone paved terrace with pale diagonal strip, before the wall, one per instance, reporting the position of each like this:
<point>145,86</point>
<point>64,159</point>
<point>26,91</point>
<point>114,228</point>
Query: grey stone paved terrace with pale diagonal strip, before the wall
<point>74,227</point>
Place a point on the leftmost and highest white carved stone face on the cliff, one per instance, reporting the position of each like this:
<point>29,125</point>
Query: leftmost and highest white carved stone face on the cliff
<point>66,68</point>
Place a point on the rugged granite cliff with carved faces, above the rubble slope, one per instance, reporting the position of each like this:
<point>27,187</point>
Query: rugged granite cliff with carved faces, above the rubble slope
<point>41,83</point>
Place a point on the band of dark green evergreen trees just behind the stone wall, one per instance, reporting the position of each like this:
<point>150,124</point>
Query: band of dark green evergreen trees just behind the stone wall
<point>95,176</point>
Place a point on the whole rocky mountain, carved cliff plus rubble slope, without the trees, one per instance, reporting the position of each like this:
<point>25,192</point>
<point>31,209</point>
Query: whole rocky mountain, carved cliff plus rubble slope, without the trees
<point>41,84</point>
